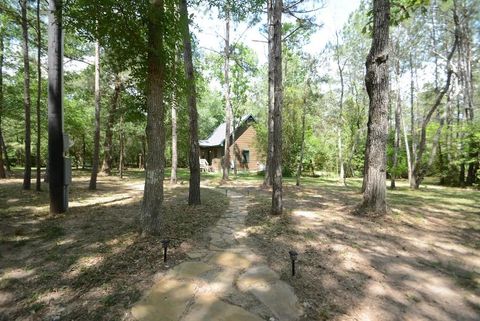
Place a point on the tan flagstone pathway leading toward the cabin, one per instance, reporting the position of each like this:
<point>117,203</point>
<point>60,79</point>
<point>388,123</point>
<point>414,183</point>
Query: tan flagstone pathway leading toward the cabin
<point>225,281</point>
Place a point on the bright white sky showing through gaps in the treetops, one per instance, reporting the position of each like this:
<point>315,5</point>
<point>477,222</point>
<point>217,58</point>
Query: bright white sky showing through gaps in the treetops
<point>211,30</point>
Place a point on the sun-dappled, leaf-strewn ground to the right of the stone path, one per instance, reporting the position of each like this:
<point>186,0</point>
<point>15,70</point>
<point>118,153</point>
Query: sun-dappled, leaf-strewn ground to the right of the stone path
<point>420,263</point>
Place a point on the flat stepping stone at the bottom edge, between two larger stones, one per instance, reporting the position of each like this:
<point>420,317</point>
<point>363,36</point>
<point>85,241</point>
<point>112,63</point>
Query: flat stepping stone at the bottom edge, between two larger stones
<point>210,308</point>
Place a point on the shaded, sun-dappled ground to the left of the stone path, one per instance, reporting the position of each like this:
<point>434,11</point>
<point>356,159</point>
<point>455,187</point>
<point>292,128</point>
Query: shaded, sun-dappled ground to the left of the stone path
<point>90,264</point>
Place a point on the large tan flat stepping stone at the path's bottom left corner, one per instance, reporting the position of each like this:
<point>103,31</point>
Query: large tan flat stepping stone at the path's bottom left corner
<point>166,301</point>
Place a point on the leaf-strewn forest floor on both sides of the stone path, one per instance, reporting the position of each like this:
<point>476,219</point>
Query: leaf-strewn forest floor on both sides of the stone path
<point>421,262</point>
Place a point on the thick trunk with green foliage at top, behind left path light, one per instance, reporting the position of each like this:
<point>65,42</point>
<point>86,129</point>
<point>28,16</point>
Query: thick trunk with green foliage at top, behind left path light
<point>155,159</point>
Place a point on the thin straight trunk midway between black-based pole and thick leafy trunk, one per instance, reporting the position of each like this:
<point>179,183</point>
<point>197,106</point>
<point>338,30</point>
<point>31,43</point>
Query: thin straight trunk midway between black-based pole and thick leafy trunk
<point>96,136</point>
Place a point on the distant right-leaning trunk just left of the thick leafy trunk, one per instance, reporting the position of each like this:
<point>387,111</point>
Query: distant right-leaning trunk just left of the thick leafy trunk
<point>107,145</point>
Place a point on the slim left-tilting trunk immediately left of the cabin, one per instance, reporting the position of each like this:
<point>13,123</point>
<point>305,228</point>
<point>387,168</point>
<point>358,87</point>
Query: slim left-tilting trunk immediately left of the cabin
<point>194,147</point>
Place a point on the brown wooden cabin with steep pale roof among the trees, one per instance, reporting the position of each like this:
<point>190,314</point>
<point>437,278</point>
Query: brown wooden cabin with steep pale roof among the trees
<point>243,146</point>
